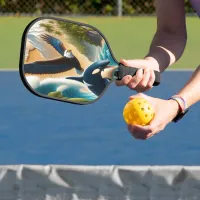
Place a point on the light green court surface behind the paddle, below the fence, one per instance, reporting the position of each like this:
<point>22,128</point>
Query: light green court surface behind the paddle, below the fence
<point>129,38</point>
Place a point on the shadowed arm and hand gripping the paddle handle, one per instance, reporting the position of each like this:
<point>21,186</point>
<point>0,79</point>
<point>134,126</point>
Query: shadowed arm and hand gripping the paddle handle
<point>170,36</point>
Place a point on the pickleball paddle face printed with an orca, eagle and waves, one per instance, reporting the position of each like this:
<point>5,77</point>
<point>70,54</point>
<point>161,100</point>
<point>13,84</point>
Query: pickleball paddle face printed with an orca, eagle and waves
<point>66,61</point>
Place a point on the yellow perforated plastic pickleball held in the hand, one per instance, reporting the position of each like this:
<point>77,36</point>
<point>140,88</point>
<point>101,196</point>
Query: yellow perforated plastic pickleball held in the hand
<point>138,112</point>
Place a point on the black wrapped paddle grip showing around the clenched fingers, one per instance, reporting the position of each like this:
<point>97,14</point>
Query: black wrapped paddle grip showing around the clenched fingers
<point>124,71</point>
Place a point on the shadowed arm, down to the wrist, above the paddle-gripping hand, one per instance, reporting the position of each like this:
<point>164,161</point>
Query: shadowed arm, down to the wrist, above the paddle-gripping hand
<point>170,38</point>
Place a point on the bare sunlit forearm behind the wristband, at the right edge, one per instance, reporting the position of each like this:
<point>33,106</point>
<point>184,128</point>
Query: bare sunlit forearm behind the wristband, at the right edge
<point>191,91</point>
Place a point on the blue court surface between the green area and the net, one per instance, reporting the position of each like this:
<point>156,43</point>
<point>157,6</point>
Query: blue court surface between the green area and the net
<point>34,130</point>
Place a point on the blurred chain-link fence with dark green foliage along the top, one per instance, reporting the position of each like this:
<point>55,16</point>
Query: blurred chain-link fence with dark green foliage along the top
<point>80,7</point>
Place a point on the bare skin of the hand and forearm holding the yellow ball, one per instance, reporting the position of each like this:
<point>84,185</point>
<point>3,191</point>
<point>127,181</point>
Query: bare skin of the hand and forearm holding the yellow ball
<point>166,110</point>
